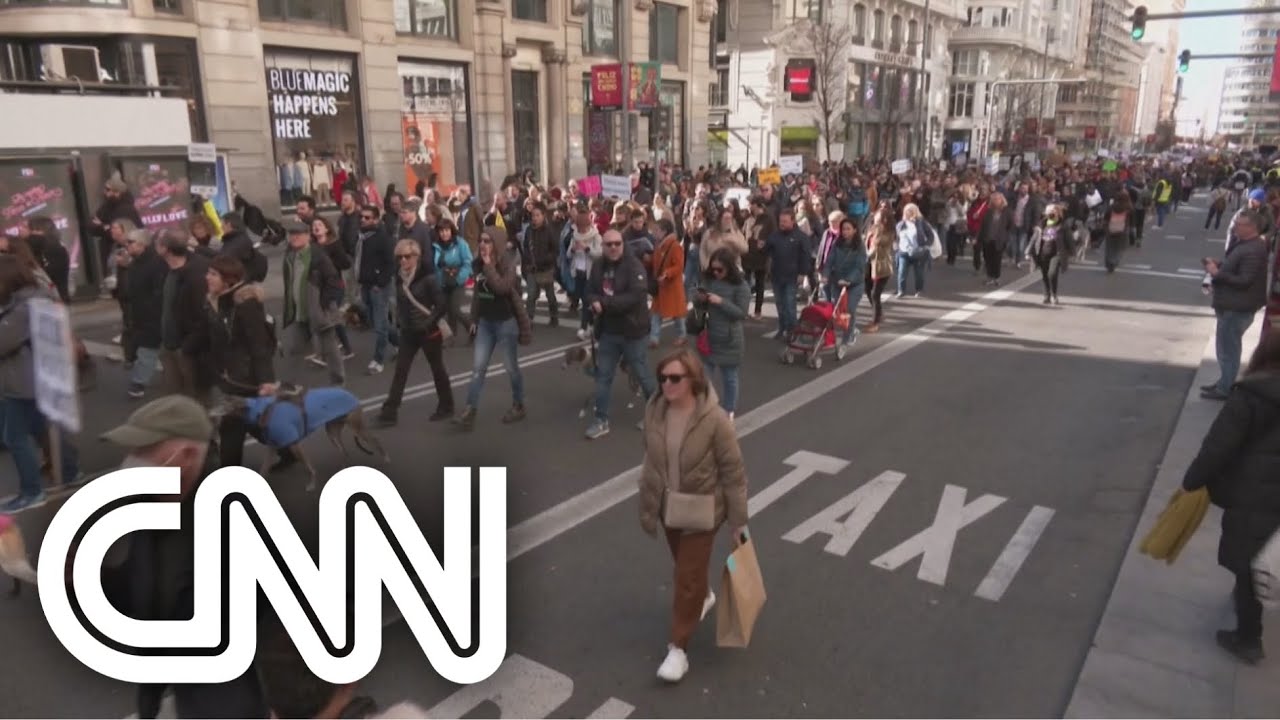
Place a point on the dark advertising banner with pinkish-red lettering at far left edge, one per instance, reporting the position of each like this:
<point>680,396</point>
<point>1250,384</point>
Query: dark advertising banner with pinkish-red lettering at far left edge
<point>42,188</point>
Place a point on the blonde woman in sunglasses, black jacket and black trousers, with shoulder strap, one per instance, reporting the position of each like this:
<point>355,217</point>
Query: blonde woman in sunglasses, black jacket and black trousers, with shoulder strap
<point>420,306</point>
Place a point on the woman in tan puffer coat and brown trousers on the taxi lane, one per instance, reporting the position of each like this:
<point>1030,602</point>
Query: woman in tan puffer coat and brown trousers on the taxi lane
<point>693,482</point>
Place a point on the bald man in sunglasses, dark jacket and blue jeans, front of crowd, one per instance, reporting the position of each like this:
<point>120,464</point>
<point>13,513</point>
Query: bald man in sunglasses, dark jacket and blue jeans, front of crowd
<point>618,291</point>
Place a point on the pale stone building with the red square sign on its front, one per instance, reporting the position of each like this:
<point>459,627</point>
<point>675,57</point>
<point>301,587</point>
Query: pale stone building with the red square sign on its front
<point>829,80</point>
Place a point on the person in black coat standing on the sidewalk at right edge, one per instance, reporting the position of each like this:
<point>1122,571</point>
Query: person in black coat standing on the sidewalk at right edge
<point>1241,468</point>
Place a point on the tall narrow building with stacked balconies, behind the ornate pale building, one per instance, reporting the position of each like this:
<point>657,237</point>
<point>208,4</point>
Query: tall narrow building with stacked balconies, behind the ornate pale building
<point>1100,113</point>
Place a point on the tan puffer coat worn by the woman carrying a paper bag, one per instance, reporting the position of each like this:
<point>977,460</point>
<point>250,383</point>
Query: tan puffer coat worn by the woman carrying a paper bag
<point>711,462</point>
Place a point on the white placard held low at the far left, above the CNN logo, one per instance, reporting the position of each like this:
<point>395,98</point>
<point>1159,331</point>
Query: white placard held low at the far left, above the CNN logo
<point>54,359</point>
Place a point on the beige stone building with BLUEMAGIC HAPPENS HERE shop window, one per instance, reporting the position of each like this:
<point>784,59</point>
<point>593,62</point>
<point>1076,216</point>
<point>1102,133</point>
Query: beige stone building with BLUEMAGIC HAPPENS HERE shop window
<point>444,93</point>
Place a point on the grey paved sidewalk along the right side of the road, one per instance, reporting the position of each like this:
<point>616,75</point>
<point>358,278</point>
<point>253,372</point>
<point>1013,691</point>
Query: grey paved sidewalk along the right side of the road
<point>1155,654</point>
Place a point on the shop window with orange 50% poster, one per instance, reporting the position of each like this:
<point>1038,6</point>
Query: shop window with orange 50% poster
<point>436,125</point>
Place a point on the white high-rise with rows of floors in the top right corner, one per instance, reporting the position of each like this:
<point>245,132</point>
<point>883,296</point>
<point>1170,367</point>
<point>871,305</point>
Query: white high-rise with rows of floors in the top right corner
<point>1249,116</point>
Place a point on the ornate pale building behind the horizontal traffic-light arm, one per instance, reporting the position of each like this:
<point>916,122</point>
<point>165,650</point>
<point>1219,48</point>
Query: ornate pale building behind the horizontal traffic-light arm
<point>1026,42</point>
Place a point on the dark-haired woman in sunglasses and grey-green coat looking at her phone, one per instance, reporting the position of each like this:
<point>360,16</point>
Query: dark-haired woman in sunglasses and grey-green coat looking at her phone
<point>725,298</point>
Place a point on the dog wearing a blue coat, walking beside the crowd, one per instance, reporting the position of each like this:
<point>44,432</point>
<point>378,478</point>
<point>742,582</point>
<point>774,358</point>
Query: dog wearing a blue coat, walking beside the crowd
<point>284,421</point>
